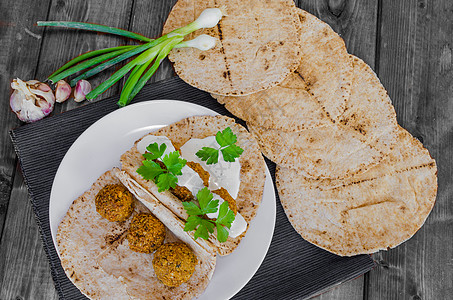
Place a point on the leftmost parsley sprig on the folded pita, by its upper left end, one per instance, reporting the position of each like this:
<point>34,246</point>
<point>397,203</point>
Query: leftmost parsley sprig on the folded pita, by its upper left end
<point>164,177</point>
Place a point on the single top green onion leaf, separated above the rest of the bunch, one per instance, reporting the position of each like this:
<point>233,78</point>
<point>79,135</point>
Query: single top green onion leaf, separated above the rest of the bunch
<point>95,27</point>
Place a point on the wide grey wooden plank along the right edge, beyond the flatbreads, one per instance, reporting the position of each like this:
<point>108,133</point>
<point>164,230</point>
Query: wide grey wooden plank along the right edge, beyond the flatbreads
<point>416,67</point>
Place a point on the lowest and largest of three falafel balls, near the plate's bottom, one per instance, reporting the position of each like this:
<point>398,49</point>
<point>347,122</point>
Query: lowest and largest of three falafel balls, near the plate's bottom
<point>174,263</point>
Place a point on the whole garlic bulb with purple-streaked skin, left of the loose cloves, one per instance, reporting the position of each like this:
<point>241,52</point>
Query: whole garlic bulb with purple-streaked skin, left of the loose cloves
<point>31,100</point>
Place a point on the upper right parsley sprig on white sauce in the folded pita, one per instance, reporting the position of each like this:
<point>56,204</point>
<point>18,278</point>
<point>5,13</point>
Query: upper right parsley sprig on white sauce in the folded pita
<point>226,140</point>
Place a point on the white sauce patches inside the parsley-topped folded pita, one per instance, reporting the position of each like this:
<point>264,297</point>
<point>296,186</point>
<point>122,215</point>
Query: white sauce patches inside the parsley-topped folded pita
<point>222,174</point>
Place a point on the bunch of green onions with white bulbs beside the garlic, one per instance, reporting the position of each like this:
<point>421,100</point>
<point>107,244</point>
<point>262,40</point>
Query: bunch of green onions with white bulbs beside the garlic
<point>147,56</point>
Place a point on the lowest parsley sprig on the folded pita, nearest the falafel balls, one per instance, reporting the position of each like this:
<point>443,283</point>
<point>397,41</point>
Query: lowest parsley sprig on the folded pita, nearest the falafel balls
<point>206,226</point>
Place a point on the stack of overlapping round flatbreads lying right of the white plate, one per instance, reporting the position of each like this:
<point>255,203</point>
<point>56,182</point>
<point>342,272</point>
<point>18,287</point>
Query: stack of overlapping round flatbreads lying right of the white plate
<point>350,179</point>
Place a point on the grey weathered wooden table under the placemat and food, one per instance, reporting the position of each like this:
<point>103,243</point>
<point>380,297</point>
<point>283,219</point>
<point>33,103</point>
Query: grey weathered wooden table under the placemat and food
<point>409,43</point>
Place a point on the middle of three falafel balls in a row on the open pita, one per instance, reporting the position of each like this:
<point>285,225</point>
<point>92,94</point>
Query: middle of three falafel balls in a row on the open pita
<point>146,233</point>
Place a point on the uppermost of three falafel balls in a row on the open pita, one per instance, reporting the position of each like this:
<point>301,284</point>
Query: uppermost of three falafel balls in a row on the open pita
<point>114,202</point>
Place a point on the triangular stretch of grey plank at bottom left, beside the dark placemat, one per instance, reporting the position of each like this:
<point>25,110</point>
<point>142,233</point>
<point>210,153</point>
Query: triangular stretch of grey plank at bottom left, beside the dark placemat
<point>24,267</point>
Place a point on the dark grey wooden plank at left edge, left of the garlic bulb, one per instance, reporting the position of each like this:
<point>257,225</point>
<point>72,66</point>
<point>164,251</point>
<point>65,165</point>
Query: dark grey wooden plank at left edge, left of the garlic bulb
<point>18,58</point>
